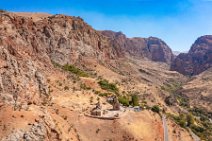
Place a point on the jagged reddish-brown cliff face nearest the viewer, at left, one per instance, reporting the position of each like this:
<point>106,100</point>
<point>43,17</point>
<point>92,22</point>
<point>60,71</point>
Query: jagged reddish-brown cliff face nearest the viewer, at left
<point>27,48</point>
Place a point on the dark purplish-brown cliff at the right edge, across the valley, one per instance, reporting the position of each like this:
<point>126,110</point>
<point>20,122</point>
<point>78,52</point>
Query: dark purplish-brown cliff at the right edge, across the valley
<point>197,60</point>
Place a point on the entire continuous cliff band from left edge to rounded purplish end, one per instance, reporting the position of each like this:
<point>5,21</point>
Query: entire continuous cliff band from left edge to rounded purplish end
<point>29,45</point>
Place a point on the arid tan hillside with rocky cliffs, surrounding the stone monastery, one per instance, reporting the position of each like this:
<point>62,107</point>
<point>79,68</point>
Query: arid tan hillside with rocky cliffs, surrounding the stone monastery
<point>55,68</point>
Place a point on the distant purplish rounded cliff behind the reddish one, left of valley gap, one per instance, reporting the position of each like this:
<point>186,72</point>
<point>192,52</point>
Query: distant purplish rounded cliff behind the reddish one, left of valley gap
<point>152,48</point>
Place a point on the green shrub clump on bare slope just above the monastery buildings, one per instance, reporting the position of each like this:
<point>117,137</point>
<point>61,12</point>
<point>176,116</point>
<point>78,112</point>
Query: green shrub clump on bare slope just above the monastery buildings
<point>104,84</point>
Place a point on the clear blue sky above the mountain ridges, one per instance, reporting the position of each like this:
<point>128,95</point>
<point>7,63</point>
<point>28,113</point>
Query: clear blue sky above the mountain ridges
<point>178,22</point>
